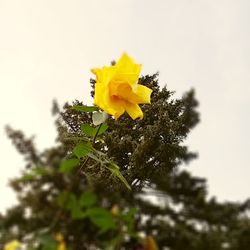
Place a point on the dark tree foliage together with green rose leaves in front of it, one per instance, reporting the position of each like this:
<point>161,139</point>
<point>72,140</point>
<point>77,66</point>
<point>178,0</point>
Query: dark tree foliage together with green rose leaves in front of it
<point>80,188</point>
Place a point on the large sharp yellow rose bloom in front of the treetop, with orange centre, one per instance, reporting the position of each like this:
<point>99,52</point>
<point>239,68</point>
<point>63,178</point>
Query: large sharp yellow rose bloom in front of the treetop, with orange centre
<point>117,90</point>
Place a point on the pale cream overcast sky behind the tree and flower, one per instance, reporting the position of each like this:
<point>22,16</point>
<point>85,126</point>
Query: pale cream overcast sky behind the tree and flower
<point>47,48</point>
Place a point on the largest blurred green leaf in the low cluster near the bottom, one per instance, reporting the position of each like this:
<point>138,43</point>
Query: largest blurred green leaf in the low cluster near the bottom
<point>102,218</point>
